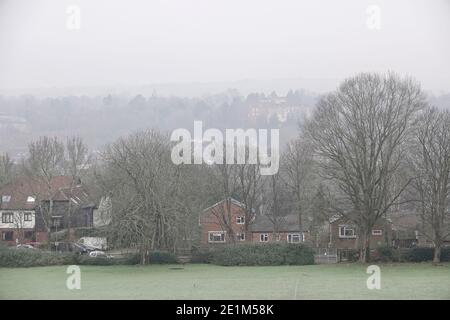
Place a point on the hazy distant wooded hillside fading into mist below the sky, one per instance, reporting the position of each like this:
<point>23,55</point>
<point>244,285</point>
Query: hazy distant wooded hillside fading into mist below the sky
<point>102,119</point>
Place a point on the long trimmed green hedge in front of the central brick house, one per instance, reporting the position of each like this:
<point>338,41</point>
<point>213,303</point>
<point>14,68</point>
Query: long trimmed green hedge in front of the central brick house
<point>262,255</point>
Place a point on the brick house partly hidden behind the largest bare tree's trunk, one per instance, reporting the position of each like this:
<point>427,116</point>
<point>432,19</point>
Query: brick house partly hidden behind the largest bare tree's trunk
<point>343,234</point>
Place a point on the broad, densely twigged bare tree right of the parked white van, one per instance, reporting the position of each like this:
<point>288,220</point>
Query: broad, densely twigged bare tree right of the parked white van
<point>148,203</point>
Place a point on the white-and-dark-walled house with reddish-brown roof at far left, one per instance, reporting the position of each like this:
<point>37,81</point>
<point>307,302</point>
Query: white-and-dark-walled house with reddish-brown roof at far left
<point>24,199</point>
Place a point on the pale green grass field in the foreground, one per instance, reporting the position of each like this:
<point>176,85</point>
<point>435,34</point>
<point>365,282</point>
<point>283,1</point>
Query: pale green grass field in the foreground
<point>343,281</point>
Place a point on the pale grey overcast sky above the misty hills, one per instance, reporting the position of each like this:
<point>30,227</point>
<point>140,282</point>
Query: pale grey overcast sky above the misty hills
<point>126,42</point>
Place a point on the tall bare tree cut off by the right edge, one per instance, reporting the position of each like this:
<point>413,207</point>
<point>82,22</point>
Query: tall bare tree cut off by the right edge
<point>431,165</point>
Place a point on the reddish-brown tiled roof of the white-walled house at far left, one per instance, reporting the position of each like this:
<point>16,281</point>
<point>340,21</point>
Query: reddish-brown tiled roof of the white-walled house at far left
<point>20,189</point>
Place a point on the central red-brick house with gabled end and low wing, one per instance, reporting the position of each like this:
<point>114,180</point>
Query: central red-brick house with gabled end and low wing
<point>218,224</point>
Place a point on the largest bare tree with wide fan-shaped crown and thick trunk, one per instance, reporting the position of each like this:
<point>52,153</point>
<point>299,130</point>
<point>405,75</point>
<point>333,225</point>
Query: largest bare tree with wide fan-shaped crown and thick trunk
<point>359,132</point>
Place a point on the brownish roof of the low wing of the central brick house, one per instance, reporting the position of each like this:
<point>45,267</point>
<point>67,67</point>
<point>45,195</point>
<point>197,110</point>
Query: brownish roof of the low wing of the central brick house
<point>265,223</point>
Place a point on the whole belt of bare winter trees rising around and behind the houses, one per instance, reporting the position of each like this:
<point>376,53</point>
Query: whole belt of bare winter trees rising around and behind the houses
<point>371,149</point>
